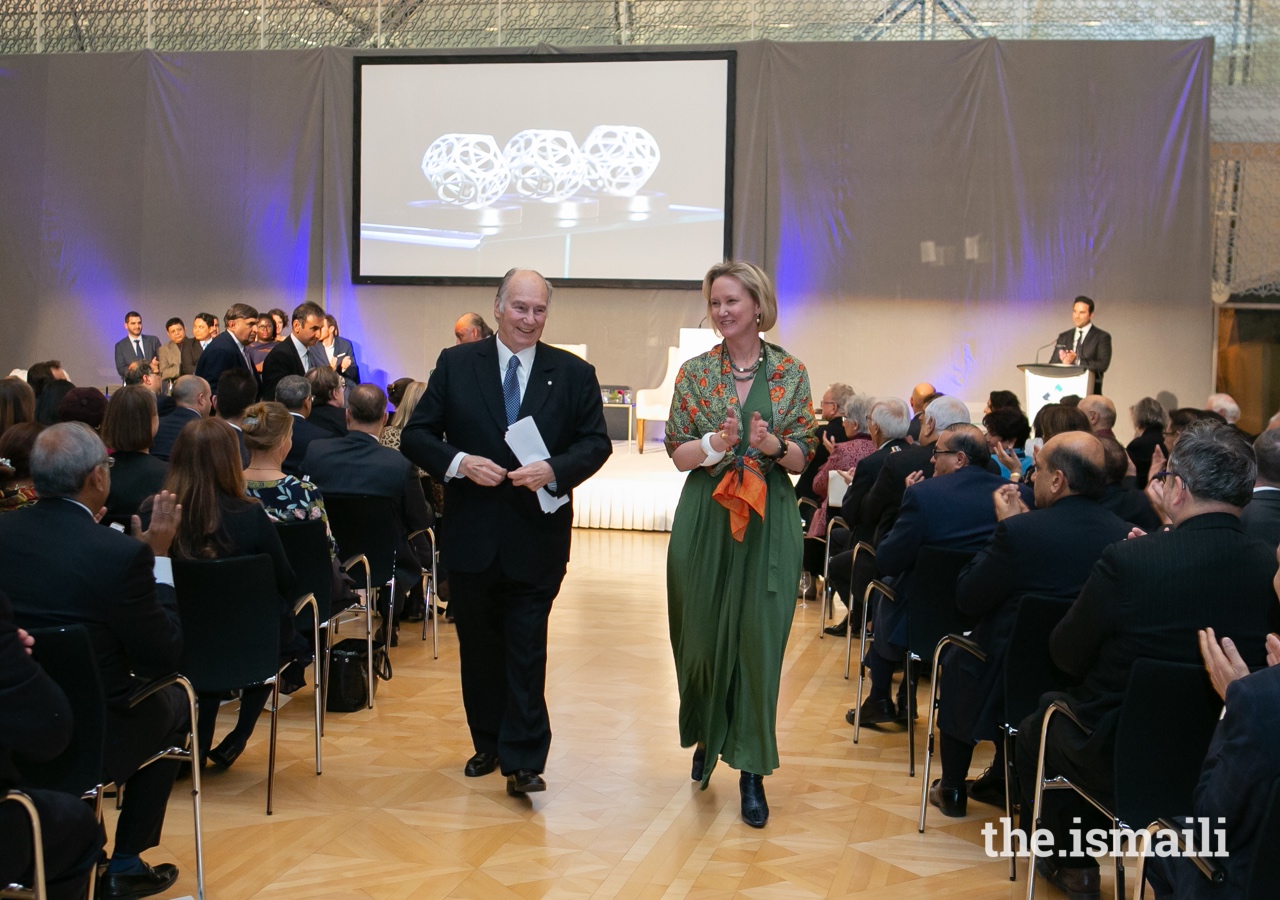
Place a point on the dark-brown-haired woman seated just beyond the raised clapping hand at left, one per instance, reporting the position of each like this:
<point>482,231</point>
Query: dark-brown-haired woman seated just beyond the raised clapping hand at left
<point>129,431</point>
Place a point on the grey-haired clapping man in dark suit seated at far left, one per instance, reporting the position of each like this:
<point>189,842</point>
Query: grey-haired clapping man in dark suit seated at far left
<point>61,568</point>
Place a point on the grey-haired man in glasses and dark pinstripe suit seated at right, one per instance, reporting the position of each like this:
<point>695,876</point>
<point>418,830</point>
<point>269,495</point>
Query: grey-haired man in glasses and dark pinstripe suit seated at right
<point>1148,599</point>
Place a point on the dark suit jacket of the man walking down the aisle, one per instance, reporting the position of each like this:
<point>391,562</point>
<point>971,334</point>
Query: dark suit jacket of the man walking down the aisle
<point>463,412</point>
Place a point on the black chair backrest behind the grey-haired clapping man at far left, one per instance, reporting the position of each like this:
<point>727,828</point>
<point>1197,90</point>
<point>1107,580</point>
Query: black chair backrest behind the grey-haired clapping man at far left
<point>67,656</point>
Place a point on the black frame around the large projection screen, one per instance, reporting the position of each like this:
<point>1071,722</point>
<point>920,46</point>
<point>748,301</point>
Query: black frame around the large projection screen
<point>360,62</point>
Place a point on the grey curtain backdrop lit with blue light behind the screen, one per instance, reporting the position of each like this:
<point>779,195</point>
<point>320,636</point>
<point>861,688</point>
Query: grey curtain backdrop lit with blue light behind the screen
<point>929,209</point>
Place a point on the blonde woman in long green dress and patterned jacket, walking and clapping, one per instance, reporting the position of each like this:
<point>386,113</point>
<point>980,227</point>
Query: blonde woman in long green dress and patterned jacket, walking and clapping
<point>742,414</point>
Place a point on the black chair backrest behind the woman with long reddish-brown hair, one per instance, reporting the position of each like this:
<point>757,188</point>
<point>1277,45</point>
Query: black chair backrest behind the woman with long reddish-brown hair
<point>231,622</point>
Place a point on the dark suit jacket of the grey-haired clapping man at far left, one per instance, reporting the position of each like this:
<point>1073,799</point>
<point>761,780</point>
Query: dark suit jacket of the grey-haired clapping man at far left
<point>61,568</point>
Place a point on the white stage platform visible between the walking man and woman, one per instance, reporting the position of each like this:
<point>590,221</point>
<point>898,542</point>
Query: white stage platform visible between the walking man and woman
<point>633,492</point>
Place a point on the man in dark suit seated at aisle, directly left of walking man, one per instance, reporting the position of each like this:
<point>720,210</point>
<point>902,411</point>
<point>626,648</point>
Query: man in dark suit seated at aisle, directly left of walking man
<point>356,464</point>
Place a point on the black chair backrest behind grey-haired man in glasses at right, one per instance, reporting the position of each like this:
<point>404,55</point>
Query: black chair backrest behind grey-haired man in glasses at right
<point>1167,724</point>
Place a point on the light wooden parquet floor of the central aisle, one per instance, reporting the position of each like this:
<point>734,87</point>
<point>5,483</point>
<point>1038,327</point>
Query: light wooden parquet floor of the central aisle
<point>394,817</point>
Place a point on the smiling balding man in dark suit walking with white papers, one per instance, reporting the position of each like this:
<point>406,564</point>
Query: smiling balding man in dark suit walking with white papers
<point>508,545</point>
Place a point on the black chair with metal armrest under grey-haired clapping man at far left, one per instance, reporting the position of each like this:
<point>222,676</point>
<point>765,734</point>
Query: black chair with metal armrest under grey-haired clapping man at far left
<point>67,656</point>
